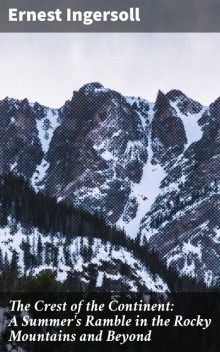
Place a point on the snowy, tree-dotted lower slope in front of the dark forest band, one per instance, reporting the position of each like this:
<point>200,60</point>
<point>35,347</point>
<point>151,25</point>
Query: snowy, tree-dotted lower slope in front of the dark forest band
<point>82,254</point>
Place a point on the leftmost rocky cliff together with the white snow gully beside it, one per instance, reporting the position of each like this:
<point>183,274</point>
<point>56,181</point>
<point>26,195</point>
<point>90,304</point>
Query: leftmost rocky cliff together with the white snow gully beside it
<point>25,133</point>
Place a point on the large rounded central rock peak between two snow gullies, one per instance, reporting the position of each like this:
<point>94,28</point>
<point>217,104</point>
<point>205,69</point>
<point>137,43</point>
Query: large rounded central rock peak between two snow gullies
<point>97,152</point>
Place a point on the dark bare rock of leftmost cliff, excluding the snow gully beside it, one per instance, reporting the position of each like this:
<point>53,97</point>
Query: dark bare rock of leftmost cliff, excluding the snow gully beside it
<point>20,147</point>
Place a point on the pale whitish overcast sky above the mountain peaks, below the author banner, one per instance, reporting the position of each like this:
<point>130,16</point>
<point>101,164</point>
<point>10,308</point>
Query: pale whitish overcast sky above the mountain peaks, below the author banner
<point>48,67</point>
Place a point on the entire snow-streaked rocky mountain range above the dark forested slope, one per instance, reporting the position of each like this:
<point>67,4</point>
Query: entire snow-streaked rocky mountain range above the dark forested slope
<point>150,168</point>
